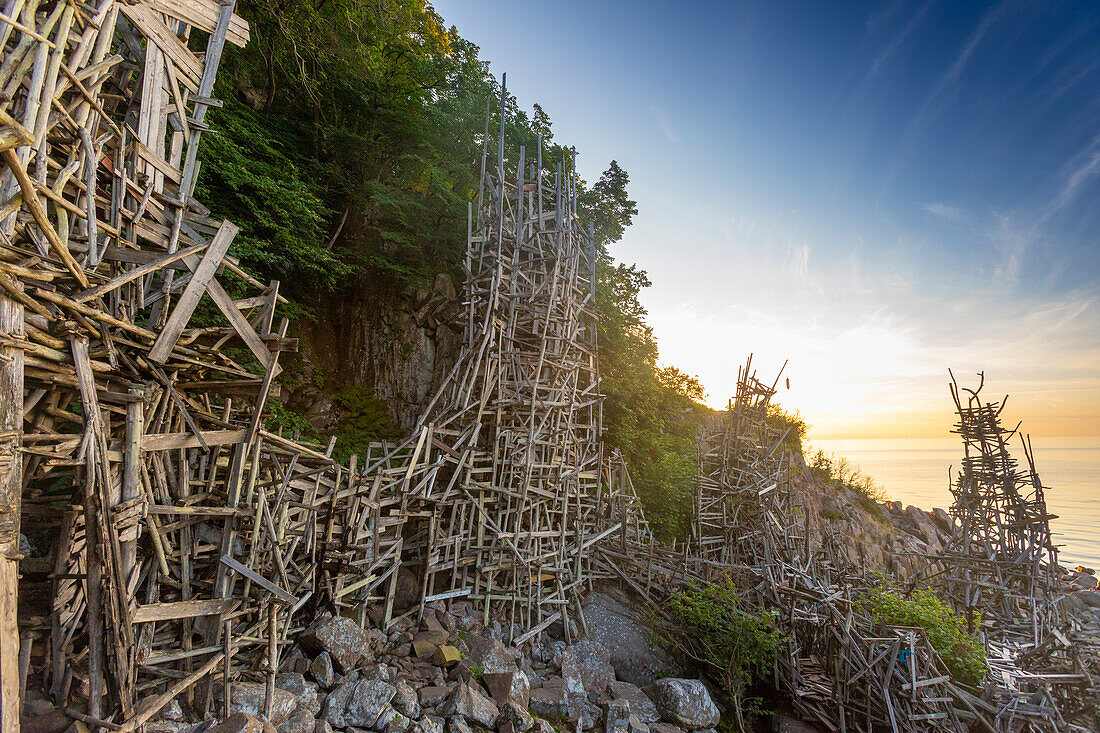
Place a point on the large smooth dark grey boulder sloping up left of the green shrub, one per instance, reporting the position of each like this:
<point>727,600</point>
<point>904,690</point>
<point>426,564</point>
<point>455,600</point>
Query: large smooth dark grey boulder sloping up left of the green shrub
<point>620,630</point>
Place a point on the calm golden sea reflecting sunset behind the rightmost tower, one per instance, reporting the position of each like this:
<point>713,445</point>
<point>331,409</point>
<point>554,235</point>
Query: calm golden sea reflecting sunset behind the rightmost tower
<point>916,472</point>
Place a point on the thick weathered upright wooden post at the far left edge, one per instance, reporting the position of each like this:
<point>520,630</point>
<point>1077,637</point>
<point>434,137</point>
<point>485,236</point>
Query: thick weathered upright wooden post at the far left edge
<point>12,482</point>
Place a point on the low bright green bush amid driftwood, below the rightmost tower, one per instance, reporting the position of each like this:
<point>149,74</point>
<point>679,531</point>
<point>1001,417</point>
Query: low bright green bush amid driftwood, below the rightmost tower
<point>963,653</point>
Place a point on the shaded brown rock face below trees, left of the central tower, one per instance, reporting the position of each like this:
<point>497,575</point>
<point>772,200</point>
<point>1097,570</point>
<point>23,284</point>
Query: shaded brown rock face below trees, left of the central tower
<point>398,346</point>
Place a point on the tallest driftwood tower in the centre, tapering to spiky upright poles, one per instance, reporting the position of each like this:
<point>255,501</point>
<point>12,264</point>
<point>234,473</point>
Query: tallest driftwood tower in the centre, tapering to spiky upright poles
<point>499,484</point>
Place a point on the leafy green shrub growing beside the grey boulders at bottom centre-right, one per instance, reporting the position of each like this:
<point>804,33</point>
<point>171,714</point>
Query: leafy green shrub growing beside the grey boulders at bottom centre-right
<point>733,643</point>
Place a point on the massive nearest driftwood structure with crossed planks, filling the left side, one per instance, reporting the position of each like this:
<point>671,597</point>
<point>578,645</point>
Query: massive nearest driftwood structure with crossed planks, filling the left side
<point>163,537</point>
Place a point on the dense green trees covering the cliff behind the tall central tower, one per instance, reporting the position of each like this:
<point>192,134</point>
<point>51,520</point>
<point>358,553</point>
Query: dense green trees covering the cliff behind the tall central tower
<point>348,148</point>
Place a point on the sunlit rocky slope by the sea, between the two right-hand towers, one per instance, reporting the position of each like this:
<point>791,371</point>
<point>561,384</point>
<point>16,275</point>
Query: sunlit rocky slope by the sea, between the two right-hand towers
<point>897,541</point>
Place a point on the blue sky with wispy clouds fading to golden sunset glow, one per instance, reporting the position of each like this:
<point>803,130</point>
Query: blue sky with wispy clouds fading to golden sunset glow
<point>876,192</point>
